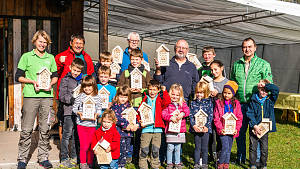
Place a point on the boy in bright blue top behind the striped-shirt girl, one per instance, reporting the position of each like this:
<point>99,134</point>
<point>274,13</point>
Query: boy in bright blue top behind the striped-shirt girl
<point>104,73</point>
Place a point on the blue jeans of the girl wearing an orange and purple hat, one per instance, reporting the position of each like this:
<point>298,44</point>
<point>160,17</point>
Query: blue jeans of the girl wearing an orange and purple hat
<point>226,141</point>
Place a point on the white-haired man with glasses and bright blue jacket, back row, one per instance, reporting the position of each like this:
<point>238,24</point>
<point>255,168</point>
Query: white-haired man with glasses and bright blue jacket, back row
<point>133,42</point>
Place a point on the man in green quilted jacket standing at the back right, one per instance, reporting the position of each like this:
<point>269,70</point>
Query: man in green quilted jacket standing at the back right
<point>247,72</point>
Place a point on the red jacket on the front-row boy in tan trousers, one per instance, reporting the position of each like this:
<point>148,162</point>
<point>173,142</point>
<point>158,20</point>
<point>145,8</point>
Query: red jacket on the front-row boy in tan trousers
<point>160,105</point>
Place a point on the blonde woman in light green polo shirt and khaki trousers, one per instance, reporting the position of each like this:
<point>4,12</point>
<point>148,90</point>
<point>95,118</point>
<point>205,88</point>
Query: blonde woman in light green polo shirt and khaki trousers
<point>36,100</point>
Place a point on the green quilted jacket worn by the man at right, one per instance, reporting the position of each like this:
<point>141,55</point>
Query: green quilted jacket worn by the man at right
<point>259,69</point>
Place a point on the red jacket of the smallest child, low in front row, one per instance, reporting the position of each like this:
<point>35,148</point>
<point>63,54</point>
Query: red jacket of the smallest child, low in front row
<point>112,136</point>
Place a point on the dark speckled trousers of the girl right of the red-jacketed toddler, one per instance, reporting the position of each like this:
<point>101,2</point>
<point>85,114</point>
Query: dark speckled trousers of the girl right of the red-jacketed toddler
<point>125,146</point>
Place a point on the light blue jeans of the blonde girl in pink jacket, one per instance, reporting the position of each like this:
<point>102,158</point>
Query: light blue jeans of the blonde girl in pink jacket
<point>173,148</point>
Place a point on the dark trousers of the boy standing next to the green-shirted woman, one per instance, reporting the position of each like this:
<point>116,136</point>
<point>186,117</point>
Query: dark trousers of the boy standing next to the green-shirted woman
<point>68,137</point>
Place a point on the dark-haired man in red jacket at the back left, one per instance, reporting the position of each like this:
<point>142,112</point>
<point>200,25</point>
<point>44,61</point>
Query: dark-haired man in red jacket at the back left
<point>63,61</point>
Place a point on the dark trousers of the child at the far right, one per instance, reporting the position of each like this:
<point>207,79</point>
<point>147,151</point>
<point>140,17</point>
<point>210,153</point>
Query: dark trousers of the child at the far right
<point>263,141</point>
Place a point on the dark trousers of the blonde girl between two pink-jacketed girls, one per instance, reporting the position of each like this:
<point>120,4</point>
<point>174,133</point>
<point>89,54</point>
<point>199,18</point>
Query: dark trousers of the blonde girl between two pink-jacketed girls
<point>201,146</point>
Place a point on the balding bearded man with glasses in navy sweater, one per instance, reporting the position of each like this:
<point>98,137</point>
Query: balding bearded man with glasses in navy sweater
<point>180,70</point>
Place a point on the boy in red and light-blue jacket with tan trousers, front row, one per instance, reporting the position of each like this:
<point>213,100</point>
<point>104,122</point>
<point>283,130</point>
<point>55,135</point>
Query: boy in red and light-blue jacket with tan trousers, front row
<point>151,134</point>
